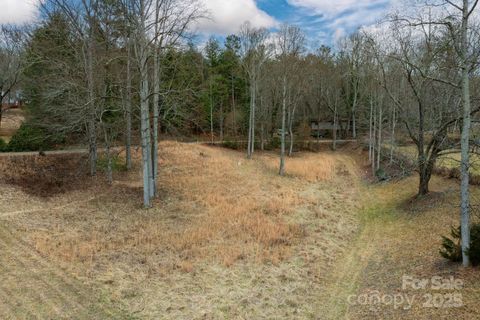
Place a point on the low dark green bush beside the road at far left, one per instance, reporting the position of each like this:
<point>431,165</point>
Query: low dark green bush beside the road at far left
<point>32,138</point>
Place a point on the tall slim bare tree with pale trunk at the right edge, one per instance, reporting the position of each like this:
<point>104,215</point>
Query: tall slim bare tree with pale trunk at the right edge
<point>454,20</point>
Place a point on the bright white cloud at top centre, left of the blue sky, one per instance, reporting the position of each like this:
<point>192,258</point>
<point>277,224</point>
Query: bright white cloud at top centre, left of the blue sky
<point>226,16</point>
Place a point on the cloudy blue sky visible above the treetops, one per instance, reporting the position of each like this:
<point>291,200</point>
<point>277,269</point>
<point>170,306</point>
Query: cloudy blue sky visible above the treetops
<point>324,21</point>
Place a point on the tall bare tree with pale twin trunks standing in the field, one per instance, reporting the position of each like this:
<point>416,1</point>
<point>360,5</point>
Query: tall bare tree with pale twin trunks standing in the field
<point>158,25</point>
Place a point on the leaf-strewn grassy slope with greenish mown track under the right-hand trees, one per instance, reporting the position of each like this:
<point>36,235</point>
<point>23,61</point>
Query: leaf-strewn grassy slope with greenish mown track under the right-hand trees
<point>403,239</point>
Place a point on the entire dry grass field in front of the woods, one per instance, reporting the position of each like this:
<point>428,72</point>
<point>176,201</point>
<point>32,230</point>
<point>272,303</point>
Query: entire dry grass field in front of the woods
<point>227,239</point>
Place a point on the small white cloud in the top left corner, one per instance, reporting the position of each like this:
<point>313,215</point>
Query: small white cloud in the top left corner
<point>18,11</point>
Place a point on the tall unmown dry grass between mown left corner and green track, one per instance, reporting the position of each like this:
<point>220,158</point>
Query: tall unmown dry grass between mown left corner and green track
<point>219,218</point>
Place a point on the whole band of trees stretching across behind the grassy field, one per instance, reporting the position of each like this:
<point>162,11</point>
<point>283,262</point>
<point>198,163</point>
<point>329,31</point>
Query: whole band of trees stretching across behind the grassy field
<point>102,69</point>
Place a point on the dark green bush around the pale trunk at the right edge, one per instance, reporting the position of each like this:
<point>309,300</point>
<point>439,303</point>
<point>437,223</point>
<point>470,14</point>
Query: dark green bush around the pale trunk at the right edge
<point>452,249</point>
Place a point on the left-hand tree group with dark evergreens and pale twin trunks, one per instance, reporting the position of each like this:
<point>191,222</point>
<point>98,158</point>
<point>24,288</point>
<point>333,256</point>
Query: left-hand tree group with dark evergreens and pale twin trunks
<point>95,69</point>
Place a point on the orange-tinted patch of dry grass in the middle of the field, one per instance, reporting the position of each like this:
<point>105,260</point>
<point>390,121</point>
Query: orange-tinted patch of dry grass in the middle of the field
<point>228,203</point>
